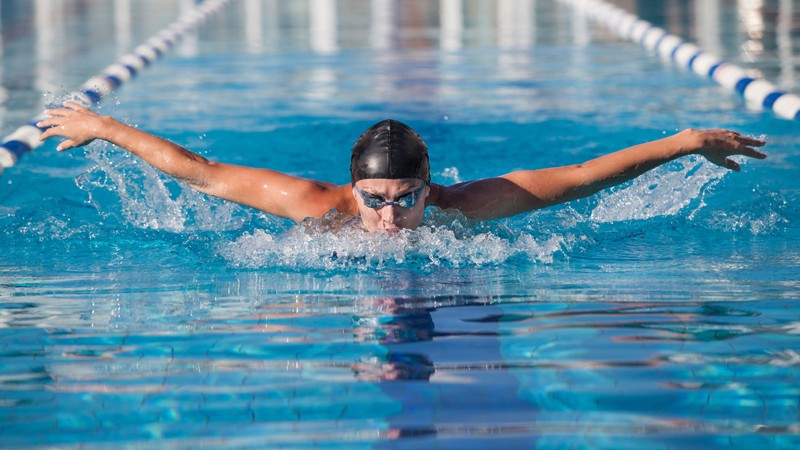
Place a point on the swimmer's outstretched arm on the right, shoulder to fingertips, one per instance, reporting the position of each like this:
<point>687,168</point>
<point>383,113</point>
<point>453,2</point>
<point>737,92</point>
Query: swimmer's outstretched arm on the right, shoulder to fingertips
<point>526,190</point>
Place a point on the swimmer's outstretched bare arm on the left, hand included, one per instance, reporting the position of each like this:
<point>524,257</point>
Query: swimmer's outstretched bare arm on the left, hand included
<point>270,191</point>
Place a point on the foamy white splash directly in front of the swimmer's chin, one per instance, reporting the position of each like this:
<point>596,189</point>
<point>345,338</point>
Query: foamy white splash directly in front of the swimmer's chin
<point>443,240</point>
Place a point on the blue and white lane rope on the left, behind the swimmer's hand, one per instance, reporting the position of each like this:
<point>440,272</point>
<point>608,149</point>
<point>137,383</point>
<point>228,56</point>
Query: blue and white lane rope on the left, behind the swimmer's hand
<point>26,138</point>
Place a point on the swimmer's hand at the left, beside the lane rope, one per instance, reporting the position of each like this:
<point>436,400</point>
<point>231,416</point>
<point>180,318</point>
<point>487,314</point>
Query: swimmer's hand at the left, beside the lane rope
<point>77,124</point>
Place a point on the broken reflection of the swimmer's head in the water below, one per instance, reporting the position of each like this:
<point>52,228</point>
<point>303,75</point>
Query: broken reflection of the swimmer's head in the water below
<point>393,321</point>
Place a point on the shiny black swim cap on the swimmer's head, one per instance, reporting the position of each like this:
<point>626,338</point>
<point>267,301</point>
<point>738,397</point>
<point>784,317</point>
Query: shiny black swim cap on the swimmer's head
<point>390,149</point>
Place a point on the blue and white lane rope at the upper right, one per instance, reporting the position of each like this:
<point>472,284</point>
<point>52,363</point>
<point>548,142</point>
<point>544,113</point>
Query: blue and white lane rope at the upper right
<point>755,90</point>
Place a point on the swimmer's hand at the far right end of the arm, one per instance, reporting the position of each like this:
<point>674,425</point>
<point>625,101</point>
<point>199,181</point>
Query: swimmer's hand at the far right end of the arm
<point>719,145</point>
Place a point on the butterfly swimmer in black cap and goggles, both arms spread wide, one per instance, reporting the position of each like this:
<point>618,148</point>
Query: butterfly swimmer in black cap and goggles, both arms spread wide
<point>390,175</point>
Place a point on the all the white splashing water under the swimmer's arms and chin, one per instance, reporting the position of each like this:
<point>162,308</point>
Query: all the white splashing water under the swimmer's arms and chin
<point>125,187</point>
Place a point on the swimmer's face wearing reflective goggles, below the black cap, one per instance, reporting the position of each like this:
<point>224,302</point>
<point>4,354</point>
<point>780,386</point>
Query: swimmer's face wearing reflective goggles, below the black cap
<point>394,217</point>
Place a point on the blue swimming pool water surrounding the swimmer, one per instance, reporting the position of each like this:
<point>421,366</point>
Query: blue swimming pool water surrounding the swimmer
<point>136,313</point>
